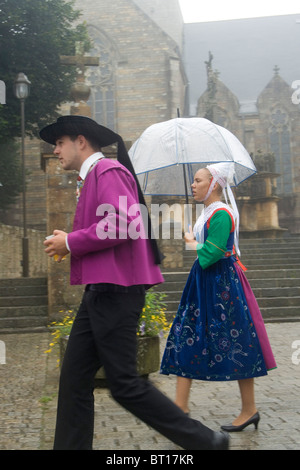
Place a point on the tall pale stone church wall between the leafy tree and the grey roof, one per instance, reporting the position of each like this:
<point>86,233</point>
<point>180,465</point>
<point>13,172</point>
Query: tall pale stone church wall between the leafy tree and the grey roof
<point>149,80</point>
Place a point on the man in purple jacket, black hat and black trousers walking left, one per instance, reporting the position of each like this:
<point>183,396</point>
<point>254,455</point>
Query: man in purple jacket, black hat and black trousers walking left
<point>113,254</point>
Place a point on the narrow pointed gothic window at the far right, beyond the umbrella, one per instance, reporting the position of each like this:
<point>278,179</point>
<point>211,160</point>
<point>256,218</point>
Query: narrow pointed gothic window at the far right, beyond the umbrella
<point>280,146</point>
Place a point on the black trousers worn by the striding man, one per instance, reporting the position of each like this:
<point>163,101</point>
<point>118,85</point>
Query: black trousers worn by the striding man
<point>104,333</point>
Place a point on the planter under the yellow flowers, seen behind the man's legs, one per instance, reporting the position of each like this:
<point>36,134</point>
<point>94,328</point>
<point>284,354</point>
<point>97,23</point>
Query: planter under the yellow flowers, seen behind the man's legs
<point>148,357</point>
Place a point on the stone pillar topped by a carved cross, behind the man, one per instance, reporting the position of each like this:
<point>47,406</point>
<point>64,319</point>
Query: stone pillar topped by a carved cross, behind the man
<point>61,196</point>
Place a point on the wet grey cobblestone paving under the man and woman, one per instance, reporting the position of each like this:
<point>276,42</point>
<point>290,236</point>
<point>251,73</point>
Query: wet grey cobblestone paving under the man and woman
<point>28,395</point>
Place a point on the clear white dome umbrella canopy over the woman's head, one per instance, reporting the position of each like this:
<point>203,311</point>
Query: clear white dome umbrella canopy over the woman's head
<point>158,155</point>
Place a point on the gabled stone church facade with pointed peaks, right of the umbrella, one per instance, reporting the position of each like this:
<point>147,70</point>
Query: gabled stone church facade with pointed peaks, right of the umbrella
<point>269,128</point>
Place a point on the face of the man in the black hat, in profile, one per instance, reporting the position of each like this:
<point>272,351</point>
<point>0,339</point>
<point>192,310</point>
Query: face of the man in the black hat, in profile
<point>68,153</point>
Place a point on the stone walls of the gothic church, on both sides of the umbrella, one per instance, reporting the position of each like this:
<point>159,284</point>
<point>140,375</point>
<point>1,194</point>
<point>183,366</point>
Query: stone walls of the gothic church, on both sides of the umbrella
<point>141,80</point>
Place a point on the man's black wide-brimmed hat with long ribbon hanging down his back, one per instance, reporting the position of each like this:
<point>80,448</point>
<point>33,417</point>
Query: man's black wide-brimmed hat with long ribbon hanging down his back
<point>81,125</point>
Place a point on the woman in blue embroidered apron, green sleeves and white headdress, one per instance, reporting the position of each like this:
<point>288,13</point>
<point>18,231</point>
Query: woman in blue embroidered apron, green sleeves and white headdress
<point>218,333</point>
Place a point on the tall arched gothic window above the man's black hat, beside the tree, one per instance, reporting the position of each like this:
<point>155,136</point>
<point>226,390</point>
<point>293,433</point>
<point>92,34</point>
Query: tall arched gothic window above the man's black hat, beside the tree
<point>101,81</point>
